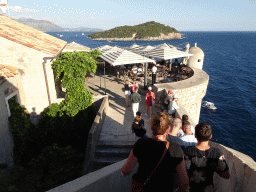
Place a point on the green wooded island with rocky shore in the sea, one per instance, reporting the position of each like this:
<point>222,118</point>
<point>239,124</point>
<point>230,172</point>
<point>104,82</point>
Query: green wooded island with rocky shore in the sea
<point>146,31</point>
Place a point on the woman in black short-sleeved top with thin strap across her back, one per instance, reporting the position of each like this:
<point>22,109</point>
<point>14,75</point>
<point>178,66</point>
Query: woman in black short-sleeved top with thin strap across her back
<point>158,160</point>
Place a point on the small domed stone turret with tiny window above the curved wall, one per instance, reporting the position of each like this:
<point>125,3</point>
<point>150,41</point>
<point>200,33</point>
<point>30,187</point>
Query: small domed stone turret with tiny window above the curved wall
<point>197,60</point>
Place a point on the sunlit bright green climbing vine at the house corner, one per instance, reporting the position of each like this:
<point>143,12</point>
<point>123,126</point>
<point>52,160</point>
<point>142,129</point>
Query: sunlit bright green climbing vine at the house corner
<point>72,68</point>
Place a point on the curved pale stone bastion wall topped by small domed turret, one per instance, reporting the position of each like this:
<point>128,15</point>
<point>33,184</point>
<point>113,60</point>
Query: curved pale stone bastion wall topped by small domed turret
<point>191,91</point>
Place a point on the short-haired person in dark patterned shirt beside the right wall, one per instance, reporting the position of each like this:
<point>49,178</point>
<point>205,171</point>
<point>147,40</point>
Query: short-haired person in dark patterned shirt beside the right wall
<point>203,160</point>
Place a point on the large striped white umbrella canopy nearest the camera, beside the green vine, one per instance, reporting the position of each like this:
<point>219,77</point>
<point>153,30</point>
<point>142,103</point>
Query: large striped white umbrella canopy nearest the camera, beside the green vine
<point>123,57</point>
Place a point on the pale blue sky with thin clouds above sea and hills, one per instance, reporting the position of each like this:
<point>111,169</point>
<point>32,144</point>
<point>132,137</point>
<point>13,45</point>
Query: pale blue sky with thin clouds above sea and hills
<point>183,15</point>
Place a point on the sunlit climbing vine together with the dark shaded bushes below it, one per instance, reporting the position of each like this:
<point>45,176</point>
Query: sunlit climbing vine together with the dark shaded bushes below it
<point>52,153</point>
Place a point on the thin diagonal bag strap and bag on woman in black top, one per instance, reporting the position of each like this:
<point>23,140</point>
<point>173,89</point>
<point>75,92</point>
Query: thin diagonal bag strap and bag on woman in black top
<point>139,186</point>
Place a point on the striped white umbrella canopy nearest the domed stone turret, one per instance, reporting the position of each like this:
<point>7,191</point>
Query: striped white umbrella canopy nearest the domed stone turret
<point>165,51</point>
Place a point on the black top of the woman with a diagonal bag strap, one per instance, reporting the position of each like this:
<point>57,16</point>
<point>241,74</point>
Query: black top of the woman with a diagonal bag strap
<point>149,151</point>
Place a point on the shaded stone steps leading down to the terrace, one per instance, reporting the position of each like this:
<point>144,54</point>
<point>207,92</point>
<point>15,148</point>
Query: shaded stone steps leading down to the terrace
<point>109,152</point>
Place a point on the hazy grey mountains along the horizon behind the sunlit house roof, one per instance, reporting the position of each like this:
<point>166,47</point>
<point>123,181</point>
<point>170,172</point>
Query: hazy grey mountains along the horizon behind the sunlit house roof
<point>44,25</point>
